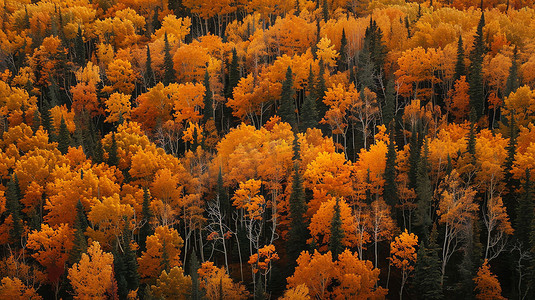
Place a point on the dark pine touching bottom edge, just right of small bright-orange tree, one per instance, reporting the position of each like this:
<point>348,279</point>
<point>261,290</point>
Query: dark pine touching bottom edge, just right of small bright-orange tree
<point>427,271</point>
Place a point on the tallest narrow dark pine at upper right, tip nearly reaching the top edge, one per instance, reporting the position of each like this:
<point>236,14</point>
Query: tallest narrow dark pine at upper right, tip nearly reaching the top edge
<point>475,77</point>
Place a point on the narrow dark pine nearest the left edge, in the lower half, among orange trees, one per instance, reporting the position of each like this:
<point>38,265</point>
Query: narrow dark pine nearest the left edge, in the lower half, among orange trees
<point>13,208</point>
